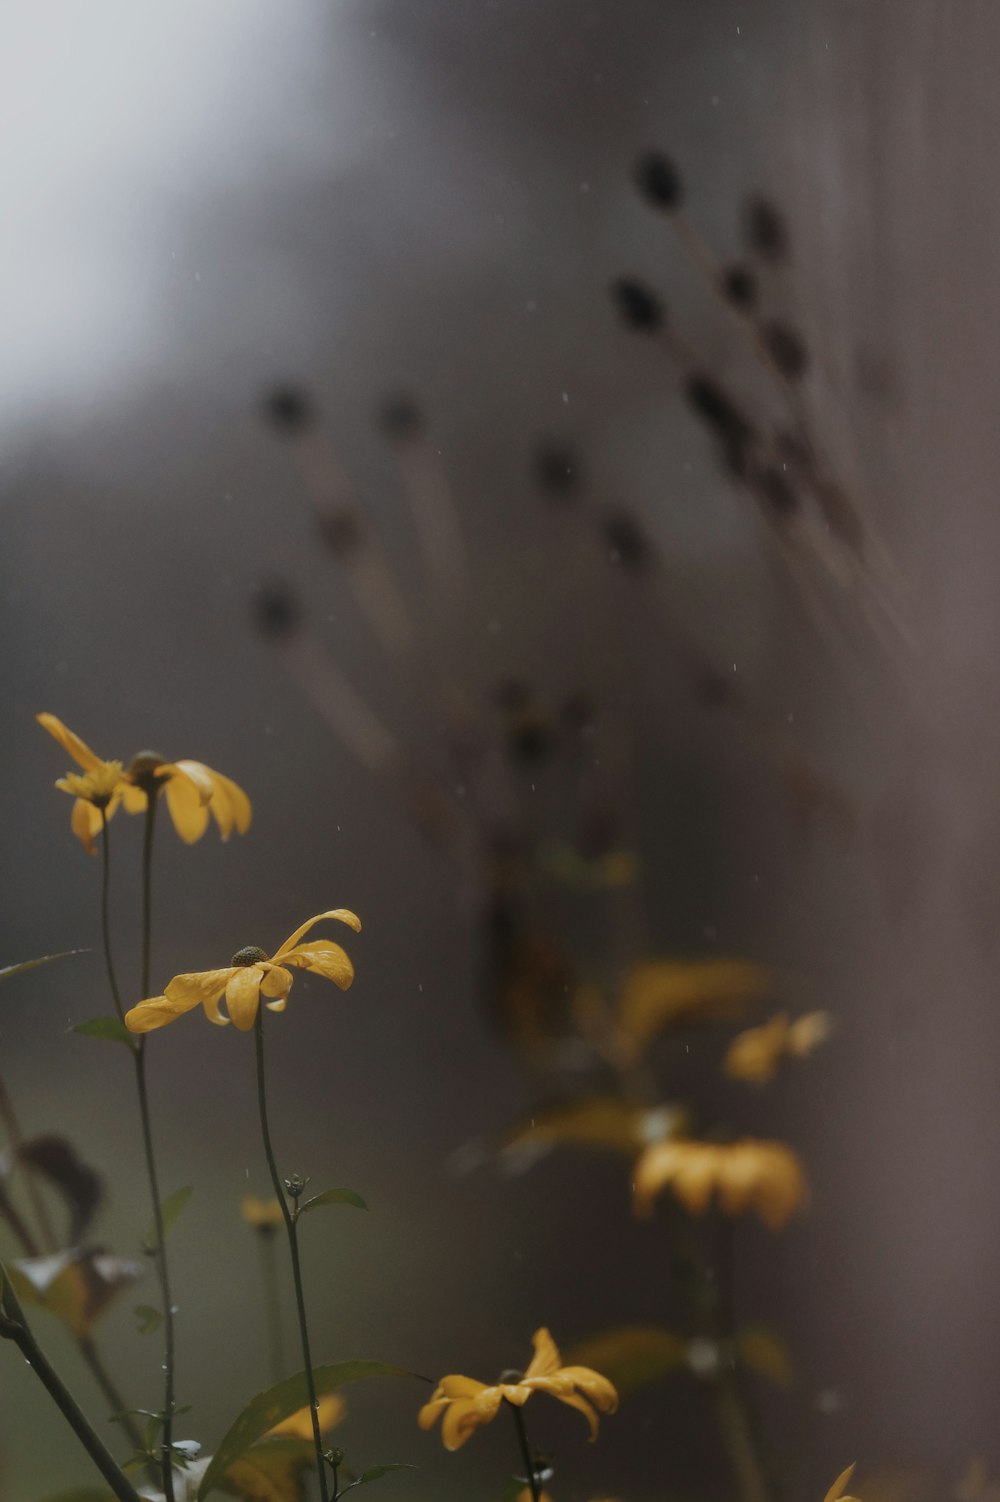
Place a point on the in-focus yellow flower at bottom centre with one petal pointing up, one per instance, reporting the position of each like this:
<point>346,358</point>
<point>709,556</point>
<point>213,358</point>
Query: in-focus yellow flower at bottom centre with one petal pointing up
<point>466,1404</point>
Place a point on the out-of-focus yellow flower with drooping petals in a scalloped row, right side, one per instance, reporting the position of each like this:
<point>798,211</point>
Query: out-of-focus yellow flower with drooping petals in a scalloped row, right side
<point>765,1177</point>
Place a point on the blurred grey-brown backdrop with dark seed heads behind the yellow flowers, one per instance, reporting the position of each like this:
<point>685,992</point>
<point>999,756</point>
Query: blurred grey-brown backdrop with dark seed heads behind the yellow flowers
<point>337,456</point>
